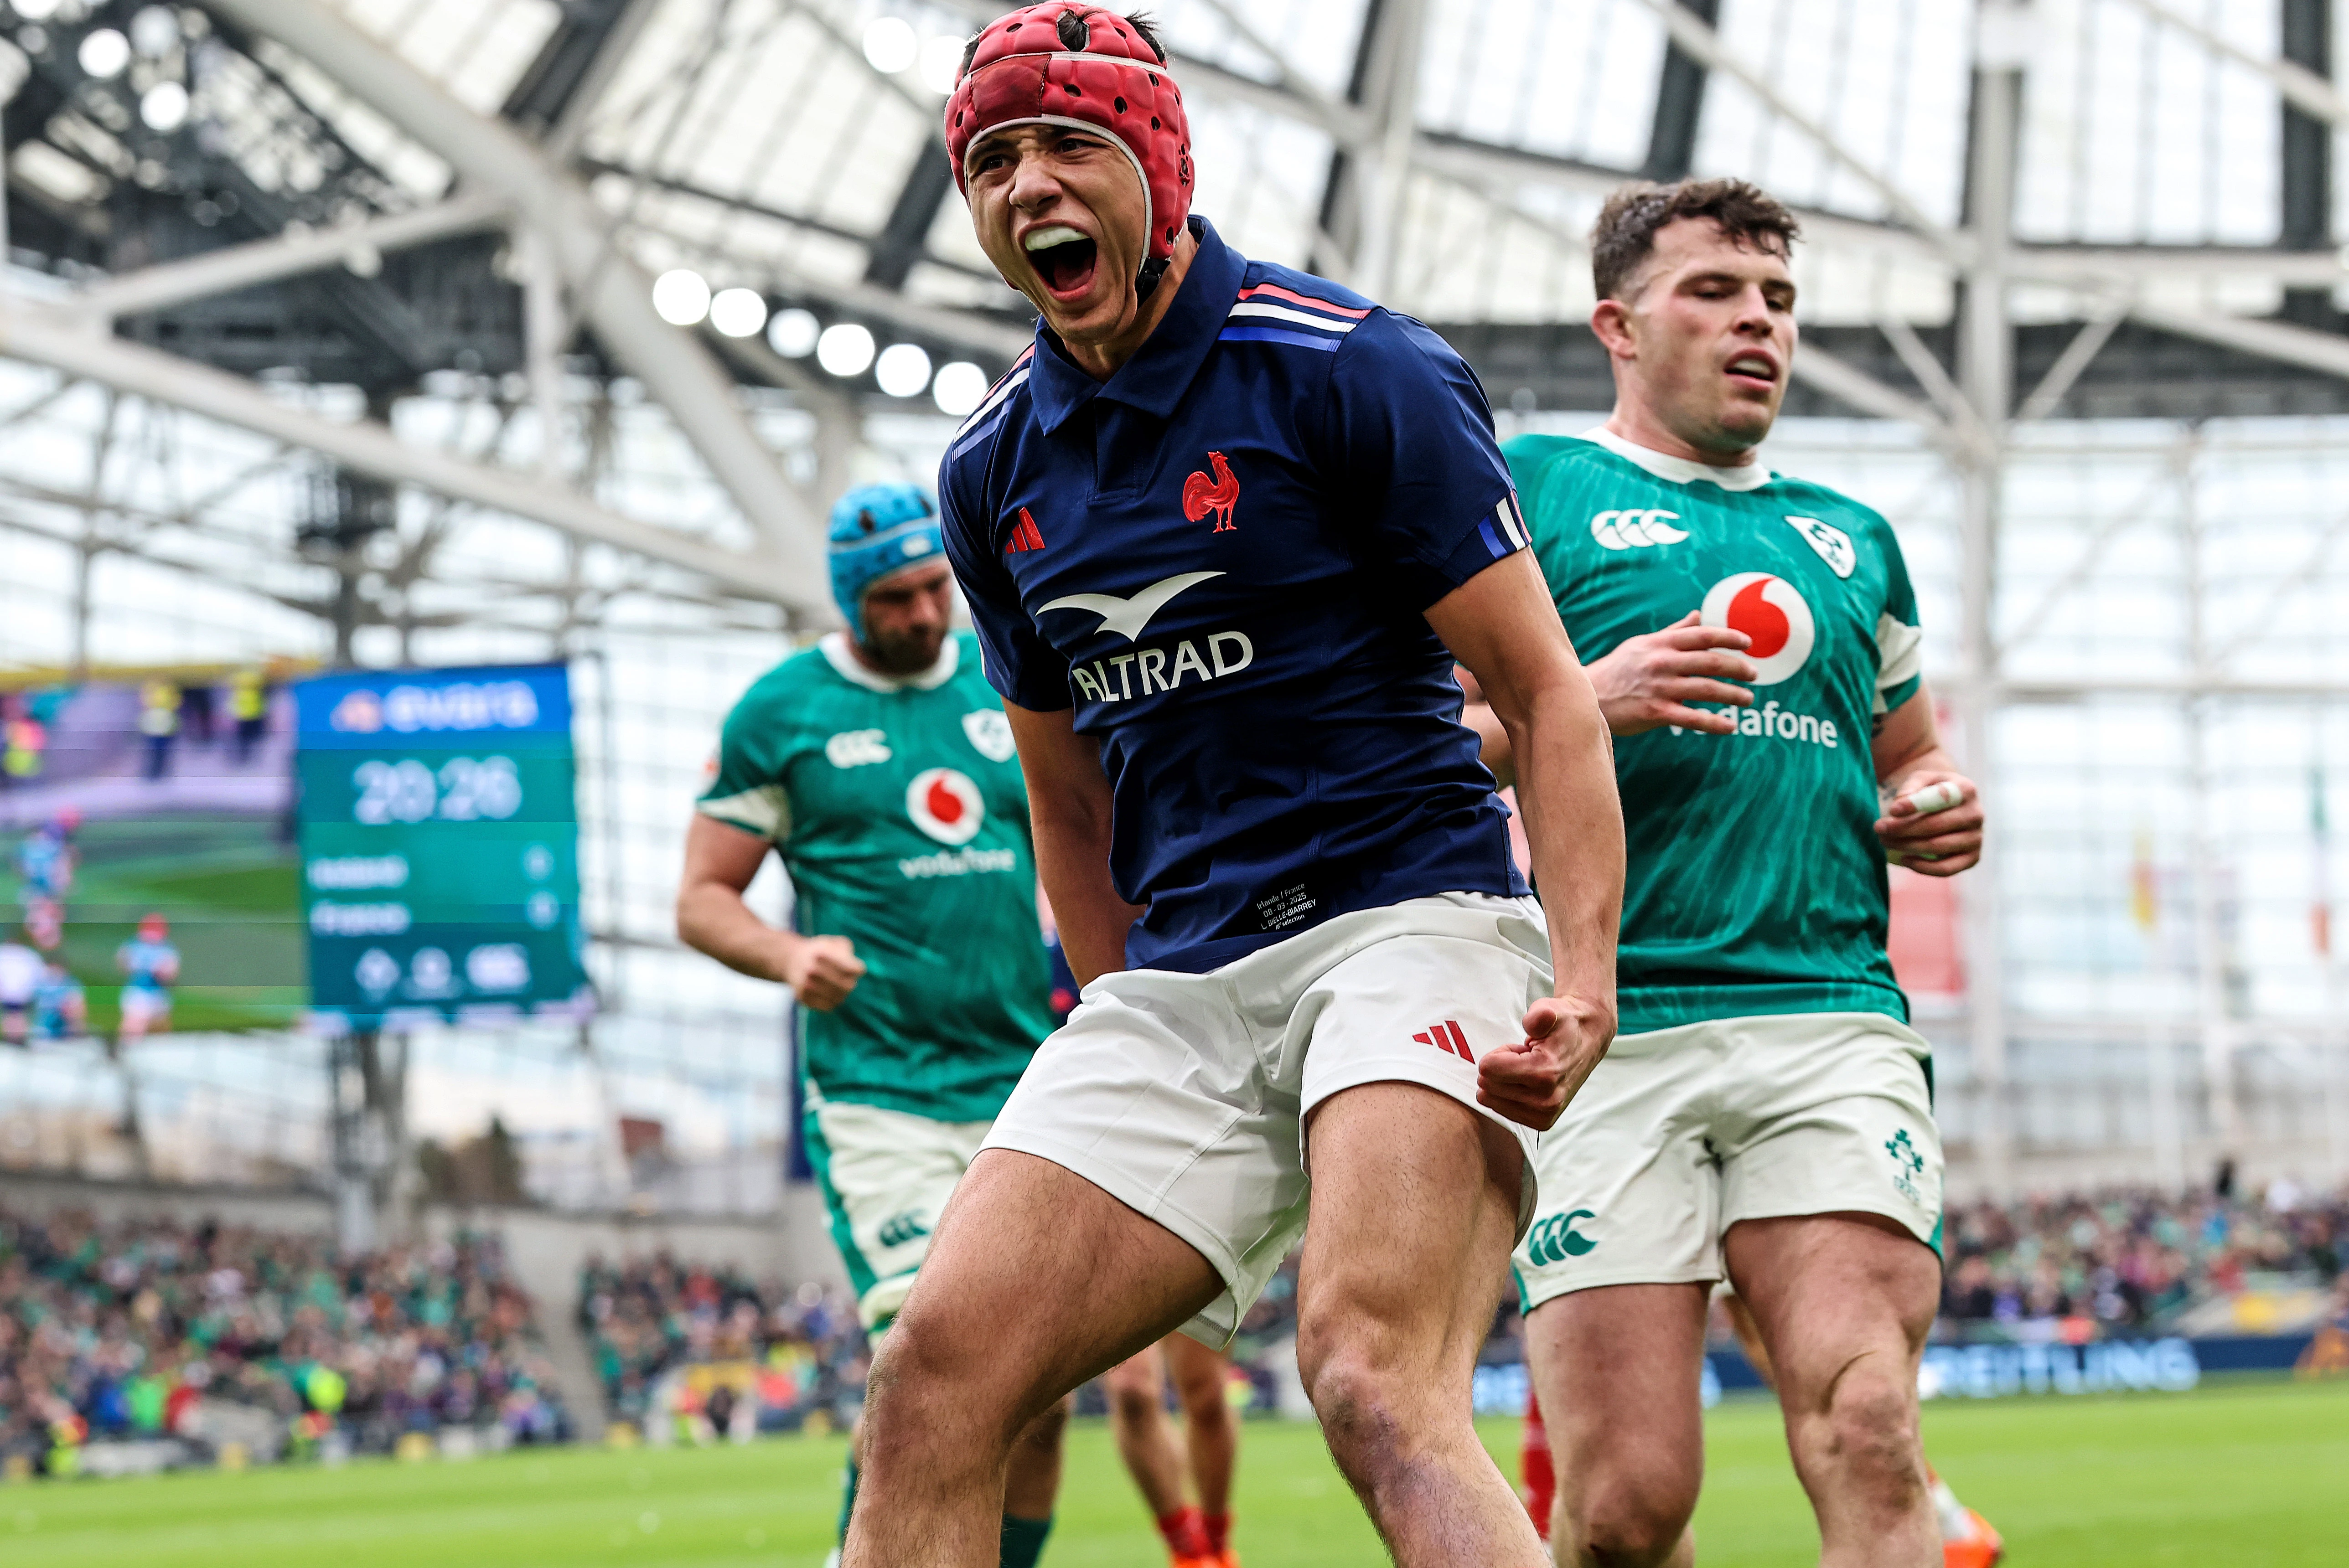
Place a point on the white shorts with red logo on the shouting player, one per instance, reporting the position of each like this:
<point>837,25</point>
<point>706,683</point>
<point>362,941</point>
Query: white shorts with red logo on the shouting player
<point>1185,1095</point>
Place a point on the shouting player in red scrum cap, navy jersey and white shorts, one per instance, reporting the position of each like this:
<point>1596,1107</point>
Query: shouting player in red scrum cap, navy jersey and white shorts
<point>1225,529</point>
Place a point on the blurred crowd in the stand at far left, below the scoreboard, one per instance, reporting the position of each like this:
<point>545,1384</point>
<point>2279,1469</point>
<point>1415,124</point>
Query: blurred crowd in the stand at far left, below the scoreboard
<point>217,1334</point>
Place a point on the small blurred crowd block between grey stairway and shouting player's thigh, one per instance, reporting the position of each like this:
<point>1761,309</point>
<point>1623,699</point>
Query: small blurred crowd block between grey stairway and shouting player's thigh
<point>701,1353</point>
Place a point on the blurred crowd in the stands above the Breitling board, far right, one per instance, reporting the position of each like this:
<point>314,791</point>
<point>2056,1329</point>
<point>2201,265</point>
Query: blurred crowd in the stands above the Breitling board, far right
<point>2127,1262</point>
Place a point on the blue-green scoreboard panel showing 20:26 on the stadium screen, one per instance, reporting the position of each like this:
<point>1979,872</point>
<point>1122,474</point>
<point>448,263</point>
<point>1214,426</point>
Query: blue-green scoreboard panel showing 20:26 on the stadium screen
<point>440,846</point>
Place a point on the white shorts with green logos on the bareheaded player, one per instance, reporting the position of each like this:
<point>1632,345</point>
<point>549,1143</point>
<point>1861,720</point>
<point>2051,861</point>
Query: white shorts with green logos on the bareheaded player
<point>1683,1133</point>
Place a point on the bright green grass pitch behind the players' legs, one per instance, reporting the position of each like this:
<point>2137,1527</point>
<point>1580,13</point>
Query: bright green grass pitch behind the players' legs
<point>2244,1475</point>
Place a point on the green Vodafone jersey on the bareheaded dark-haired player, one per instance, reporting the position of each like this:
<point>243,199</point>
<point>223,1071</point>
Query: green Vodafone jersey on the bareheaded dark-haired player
<point>1756,879</point>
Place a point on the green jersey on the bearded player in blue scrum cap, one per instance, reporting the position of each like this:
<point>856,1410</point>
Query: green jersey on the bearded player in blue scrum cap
<point>901,813</point>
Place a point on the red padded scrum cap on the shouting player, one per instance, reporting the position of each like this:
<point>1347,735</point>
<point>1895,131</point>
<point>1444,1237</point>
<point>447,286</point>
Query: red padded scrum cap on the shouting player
<point>1084,67</point>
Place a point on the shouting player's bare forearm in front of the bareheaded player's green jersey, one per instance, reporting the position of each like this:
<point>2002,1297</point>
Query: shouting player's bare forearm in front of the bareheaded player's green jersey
<point>1575,827</point>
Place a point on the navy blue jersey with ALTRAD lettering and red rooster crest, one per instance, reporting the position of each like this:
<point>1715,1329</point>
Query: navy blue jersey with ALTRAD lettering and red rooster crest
<point>1220,560</point>
